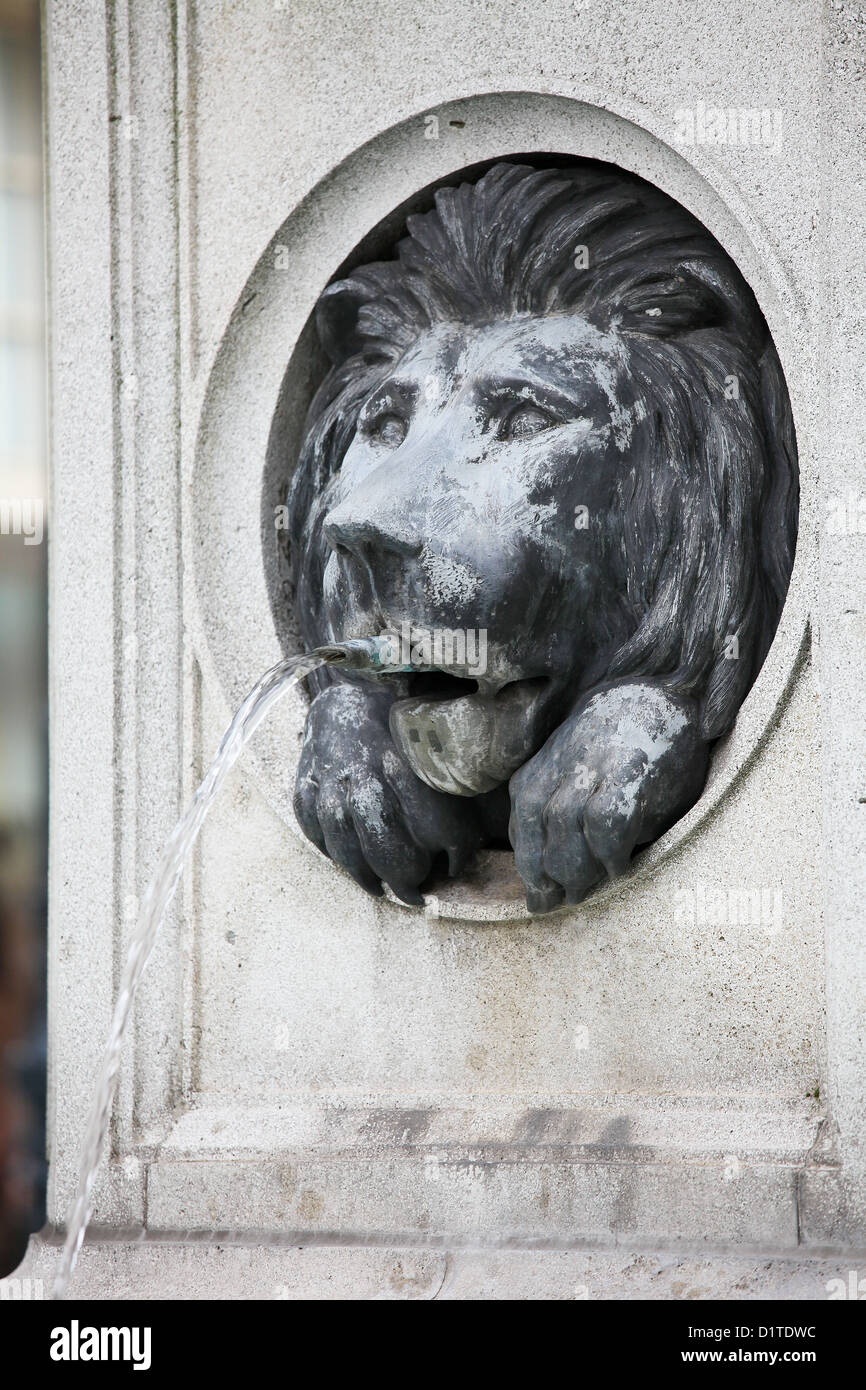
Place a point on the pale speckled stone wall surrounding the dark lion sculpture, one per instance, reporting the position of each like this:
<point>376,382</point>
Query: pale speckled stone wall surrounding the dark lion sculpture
<point>662,1068</point>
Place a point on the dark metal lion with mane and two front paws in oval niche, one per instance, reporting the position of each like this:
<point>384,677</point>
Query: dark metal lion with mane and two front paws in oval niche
<point>555,425</point>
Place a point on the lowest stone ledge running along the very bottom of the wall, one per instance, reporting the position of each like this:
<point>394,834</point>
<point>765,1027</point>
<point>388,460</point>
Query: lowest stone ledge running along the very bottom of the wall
<point>173,1267</point>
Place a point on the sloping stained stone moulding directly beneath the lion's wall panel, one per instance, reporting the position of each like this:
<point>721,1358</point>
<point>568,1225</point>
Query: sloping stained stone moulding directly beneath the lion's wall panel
<point>518,1127</point>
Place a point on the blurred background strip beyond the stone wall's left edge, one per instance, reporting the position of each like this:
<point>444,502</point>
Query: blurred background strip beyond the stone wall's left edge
<point>23,636</point>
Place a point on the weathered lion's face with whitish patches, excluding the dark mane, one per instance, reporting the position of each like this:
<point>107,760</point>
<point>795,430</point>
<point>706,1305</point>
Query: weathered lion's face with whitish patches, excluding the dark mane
<point>477,496</point>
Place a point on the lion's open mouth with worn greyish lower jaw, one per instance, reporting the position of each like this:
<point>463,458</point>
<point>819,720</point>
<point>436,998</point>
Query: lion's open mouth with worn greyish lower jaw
<point>465,739</point>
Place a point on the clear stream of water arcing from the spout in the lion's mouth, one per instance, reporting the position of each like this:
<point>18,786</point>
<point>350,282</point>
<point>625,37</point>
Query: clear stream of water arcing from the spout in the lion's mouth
<point>370,654</point>
